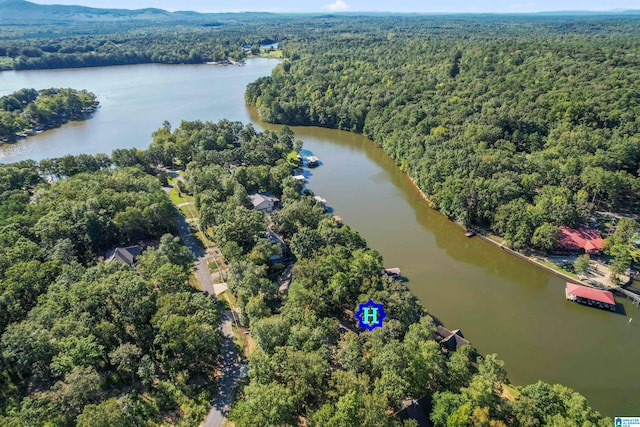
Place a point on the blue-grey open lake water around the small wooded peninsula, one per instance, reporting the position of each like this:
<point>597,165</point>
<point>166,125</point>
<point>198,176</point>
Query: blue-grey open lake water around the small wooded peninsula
<point>134,101</point>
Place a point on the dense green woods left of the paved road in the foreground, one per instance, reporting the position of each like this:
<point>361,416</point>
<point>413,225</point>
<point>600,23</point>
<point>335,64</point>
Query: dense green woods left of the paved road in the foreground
<point>89,343</point>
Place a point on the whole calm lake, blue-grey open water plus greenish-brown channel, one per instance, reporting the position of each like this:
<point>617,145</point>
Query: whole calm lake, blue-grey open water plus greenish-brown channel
<point>501,303</point>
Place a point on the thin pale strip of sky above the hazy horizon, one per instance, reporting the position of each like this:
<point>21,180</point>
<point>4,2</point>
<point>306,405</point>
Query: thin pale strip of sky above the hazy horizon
<point>436,6</point>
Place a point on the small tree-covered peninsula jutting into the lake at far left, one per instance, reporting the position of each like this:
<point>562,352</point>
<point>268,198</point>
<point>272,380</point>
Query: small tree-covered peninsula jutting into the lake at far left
<point>29,109</point>
